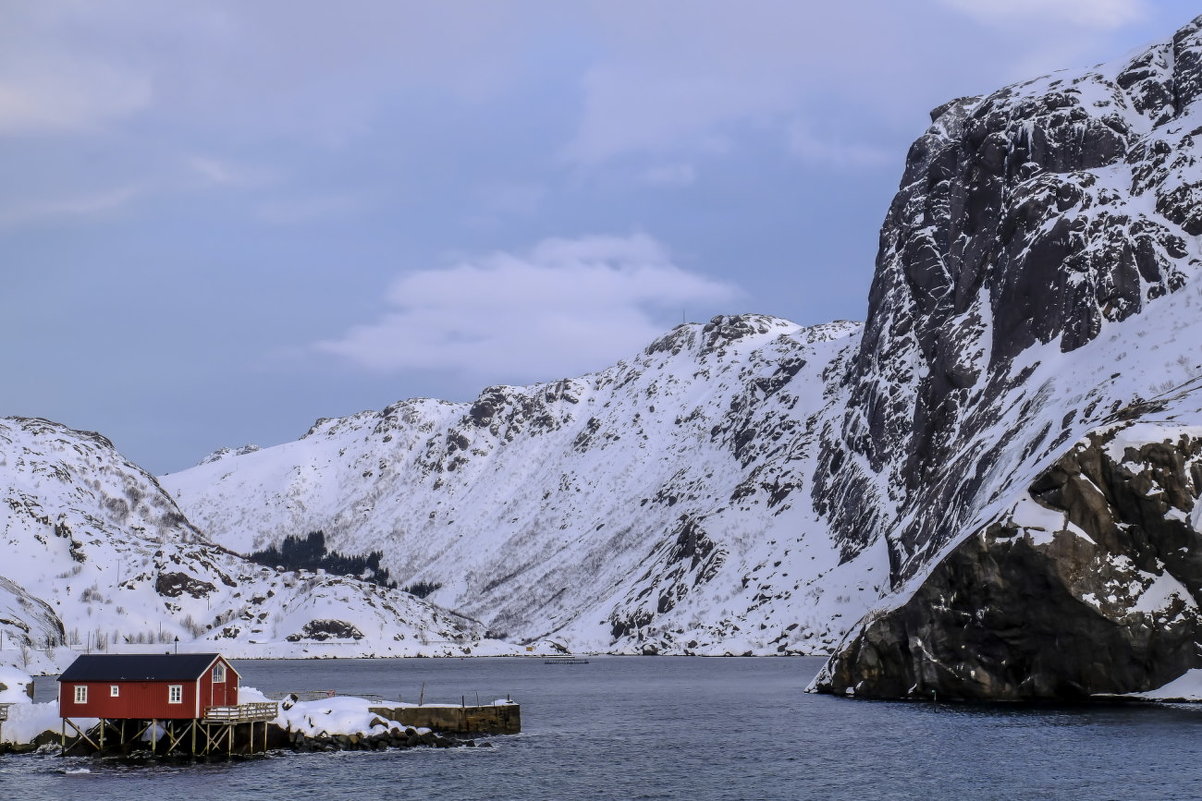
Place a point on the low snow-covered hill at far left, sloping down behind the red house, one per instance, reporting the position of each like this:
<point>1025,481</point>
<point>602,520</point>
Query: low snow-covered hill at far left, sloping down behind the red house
<point>97,556</point>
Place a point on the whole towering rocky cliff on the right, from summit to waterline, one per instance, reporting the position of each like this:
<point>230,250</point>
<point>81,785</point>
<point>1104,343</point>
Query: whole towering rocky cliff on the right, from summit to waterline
<point>1037,282</point>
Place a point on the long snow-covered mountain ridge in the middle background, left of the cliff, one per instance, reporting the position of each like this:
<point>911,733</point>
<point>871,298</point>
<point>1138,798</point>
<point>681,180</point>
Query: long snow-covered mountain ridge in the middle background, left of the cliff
<point>660,506</point>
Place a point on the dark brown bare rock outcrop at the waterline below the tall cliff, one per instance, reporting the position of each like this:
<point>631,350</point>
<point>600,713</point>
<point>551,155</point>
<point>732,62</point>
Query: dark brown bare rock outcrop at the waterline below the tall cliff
<point>1106,602</point>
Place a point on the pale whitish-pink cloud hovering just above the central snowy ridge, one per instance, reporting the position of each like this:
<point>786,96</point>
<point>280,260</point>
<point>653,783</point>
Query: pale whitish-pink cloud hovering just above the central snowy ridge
<point>563,308</point>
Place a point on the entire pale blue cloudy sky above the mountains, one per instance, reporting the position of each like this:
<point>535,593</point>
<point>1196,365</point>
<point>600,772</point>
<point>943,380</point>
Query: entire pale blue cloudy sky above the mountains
<point>221,222</point>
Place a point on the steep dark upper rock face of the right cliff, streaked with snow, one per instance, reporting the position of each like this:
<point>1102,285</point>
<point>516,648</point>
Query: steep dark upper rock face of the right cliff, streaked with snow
<point>1033,217</point>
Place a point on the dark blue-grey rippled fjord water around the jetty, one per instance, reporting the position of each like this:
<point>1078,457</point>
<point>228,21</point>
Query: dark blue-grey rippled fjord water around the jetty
<point>676,728</point>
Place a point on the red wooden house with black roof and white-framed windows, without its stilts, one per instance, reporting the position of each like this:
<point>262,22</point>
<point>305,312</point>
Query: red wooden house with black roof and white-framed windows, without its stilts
<point>147,687</point>
